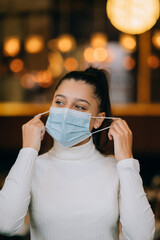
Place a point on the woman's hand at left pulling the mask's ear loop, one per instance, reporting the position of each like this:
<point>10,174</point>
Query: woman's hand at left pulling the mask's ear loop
<point>33,133</point>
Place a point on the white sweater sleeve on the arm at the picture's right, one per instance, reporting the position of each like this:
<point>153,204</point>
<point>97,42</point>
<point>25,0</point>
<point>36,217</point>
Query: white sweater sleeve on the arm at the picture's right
<point>136,216</point>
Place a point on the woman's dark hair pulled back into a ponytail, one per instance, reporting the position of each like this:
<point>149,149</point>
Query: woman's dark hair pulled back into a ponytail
<point>98,78</point>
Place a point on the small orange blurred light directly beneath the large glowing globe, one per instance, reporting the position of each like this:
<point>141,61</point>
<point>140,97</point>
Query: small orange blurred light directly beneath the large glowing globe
<point>128,42</point>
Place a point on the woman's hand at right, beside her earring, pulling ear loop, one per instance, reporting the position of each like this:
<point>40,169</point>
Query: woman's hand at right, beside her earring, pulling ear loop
<point>120,133</point>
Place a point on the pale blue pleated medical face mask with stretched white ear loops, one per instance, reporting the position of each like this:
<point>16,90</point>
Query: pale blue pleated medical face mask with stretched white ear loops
<point>69,127</point>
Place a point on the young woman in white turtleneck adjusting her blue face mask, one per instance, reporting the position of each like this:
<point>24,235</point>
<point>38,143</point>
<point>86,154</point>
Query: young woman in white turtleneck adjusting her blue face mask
<point>74,191</point>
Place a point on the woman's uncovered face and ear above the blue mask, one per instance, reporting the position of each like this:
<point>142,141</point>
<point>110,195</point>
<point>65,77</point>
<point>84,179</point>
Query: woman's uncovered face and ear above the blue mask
<point>79,96</point>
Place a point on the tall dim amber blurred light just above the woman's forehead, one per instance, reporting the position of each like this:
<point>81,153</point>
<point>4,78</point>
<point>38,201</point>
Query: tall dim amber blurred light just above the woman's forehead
<point>56,64</point>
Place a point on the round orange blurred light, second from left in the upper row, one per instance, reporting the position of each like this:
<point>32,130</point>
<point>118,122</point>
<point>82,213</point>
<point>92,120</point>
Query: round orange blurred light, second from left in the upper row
<point>34,44</point>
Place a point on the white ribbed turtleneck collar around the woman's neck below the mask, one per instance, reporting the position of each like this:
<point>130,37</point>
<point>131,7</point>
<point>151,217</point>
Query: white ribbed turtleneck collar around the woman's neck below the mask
<point>81,152</point>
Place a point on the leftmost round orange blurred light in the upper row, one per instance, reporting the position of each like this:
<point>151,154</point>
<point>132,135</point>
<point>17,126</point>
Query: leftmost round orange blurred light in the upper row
<point>11,46</point>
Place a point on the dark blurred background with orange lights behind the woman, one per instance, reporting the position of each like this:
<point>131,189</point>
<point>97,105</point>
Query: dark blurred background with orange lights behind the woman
<point>41,40</point>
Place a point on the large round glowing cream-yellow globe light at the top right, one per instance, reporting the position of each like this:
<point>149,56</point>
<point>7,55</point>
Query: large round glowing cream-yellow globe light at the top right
<point>133,17</point>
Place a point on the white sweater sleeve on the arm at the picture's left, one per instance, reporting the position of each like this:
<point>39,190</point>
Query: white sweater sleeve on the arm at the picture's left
<point>15,194</point>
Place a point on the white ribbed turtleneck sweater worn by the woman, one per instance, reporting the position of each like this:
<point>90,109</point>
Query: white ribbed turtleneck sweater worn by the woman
<point>75,194</point>
